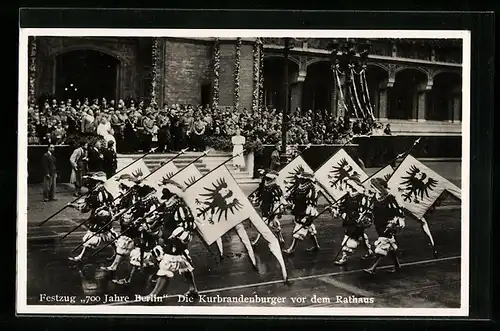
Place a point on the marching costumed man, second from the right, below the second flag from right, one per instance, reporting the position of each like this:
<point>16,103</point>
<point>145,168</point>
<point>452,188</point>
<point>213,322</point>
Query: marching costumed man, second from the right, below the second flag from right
<point>354,208</point>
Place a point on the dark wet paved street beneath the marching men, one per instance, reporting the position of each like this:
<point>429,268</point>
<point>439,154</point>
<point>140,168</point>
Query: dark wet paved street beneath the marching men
<point>422,283</point>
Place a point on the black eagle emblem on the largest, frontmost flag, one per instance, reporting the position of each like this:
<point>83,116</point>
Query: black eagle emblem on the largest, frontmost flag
<point>220,202</point>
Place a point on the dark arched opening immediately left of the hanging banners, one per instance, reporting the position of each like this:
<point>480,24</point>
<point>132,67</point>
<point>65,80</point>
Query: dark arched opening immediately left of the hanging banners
<point>318,87</point>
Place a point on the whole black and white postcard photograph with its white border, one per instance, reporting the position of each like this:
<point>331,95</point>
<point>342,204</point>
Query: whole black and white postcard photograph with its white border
<point>243,172</point>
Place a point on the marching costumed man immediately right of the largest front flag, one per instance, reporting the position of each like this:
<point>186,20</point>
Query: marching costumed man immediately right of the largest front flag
<point>269,197</point>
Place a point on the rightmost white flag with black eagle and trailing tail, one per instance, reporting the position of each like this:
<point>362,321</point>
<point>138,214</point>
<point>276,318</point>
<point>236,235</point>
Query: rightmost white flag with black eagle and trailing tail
<point>418,187</point>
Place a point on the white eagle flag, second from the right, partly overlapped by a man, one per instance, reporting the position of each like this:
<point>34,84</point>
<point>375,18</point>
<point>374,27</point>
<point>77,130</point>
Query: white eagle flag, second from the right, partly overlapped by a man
<point>333,173</point>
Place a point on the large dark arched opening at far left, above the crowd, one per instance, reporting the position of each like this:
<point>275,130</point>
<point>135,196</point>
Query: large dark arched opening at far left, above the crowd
<point>86,74</point>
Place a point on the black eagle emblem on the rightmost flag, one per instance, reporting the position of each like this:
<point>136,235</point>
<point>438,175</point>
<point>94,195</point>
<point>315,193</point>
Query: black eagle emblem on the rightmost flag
<point>416,184</point>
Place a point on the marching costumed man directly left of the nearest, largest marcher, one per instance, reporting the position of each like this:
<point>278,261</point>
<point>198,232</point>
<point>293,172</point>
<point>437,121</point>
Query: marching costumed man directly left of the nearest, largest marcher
<point>134,240</point>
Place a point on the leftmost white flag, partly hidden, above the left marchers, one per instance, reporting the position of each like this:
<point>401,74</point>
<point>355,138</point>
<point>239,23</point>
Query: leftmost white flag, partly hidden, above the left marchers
<point>135,172</point>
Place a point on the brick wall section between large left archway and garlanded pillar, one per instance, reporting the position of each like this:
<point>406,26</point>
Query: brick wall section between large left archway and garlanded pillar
<point>188,65</point>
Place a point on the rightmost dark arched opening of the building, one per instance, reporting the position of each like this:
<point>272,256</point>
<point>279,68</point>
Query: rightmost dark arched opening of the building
<point>445,98</point>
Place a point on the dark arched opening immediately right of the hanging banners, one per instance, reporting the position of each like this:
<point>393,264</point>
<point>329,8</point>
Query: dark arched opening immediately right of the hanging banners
<point>376,78</point>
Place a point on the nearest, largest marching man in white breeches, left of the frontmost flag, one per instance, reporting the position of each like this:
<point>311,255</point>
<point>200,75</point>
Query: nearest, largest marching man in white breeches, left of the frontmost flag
<point>177,231</point>
